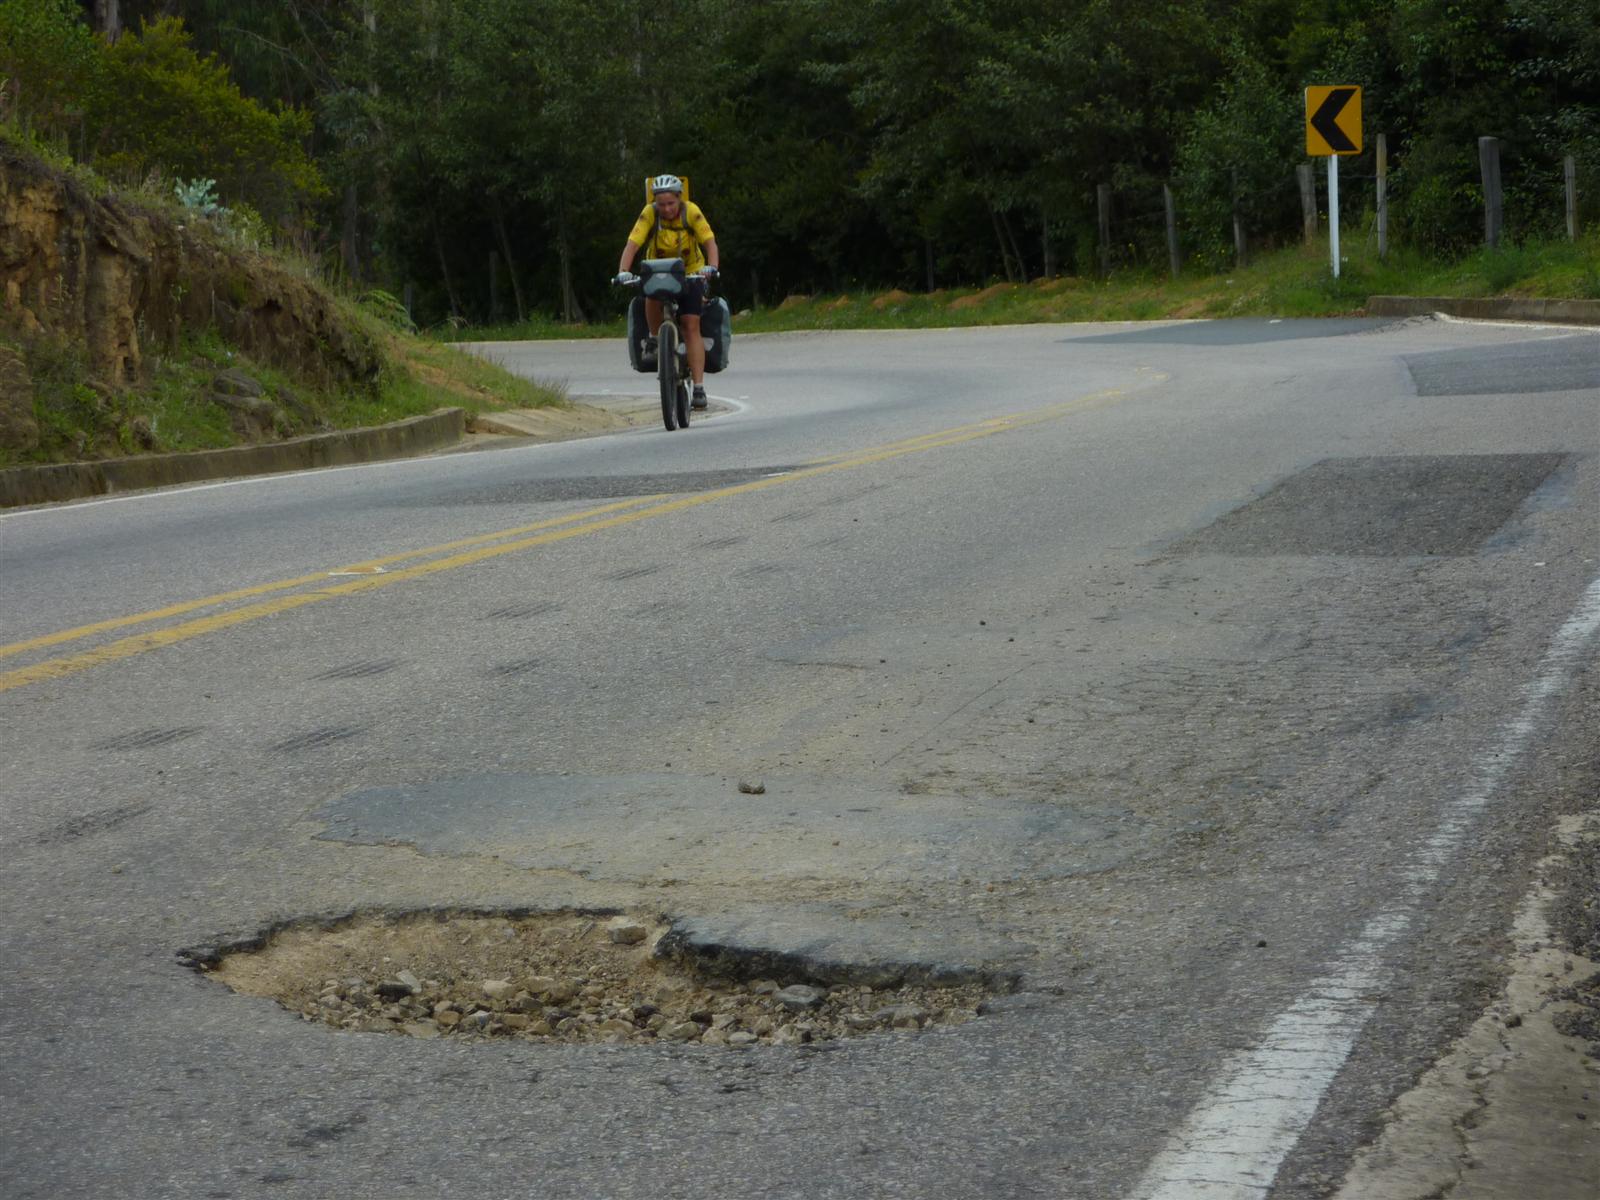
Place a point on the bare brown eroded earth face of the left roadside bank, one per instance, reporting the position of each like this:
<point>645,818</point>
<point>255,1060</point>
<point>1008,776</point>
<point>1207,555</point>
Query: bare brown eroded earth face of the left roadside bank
<point>122,282</point>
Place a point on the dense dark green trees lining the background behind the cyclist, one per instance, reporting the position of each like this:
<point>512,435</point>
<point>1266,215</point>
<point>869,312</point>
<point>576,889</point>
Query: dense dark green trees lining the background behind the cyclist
<point>490,153</point>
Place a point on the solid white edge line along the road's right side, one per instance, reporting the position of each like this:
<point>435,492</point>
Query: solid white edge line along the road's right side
<point>1238,1137</point>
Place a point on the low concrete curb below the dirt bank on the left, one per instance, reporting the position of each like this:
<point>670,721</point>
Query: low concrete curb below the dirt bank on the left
<point>76,481</point>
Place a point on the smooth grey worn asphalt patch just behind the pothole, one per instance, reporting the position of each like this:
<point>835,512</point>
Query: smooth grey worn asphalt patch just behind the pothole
<point>670,826</point>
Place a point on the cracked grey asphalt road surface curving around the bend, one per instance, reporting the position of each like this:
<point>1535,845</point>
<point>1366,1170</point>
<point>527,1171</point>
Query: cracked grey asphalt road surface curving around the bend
<point>1218,681</point>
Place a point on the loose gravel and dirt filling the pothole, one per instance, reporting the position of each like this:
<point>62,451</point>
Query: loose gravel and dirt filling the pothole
<point>558,978</point>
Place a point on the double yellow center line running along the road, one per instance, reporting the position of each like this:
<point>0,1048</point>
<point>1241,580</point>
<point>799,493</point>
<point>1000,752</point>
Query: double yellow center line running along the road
<point>375,574</point>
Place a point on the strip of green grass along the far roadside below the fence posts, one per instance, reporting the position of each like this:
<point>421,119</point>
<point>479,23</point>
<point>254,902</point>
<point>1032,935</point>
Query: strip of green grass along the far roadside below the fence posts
<point>1286,284</point>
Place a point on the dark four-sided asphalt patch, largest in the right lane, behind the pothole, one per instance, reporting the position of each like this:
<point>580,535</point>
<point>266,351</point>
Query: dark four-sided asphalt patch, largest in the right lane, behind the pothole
<point>1404,506</point>
